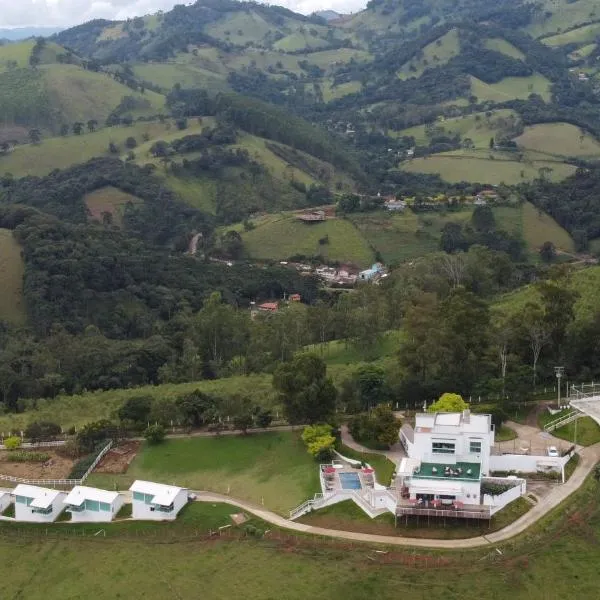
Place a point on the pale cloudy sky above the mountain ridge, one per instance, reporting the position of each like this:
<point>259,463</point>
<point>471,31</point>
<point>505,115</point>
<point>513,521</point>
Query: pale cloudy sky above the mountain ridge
<point>60,13</point>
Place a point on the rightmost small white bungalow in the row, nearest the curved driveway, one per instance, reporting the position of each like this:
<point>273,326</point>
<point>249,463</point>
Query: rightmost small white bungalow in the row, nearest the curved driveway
<point>157,501</point>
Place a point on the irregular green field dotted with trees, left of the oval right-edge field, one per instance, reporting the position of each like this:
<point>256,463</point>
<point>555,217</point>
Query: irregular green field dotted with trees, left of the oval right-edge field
<point>478,127</point>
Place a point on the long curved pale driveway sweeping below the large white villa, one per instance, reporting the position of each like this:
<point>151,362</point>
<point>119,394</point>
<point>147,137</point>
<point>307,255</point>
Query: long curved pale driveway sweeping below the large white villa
<point>589,457</point>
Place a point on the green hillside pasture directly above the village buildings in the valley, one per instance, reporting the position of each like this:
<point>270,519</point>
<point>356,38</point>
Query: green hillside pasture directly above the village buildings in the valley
<point>278,237</point>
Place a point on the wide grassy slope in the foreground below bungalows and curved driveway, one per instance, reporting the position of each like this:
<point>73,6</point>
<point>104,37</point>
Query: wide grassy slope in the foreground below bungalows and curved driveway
<point>558,558</point>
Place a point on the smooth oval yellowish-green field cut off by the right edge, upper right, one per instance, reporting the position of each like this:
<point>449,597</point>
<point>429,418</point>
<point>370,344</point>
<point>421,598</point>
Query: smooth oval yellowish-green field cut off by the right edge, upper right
<point>561,139</point>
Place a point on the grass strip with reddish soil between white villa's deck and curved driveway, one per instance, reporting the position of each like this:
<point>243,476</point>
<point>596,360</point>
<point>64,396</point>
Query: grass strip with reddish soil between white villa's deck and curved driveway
<point>347,516</point>
